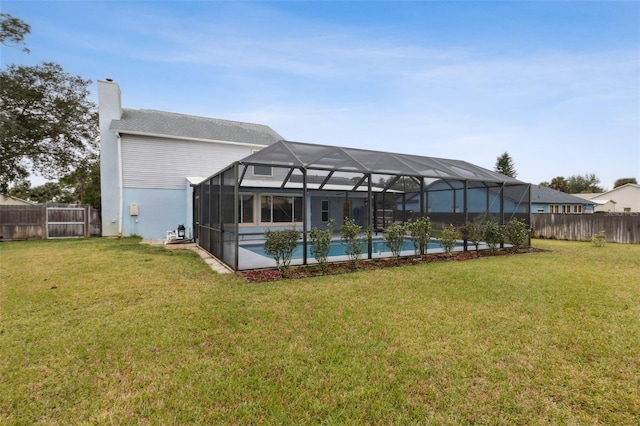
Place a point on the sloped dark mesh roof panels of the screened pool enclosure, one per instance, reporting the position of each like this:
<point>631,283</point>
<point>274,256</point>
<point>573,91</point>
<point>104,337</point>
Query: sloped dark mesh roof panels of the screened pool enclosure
<point>334,158</point>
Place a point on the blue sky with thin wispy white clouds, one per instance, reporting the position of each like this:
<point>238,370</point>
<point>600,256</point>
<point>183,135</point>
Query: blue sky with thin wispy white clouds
<point>555,84</point>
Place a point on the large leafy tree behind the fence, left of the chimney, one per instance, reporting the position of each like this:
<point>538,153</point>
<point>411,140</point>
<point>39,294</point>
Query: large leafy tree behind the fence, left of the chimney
<point>47,124</point>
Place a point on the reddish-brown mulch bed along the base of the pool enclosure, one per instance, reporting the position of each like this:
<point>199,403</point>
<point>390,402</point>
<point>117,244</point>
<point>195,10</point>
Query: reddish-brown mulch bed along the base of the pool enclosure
<point>302,271</point>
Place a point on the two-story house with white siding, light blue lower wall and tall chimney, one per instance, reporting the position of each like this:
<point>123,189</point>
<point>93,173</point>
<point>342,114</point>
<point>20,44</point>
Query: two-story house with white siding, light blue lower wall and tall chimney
<point>149,159</point>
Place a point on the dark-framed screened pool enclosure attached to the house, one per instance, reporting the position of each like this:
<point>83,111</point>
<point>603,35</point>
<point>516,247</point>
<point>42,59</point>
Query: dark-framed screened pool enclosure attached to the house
<point>298,185</point>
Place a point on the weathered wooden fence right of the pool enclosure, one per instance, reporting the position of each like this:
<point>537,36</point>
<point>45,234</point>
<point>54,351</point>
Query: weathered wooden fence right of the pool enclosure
<point>618,229</point>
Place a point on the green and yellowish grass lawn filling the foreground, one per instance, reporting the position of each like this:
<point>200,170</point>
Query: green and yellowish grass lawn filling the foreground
<point>131,333</point>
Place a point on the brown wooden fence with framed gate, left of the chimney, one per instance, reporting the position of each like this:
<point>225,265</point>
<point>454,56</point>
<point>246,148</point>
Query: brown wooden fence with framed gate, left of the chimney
<point>53,221</point>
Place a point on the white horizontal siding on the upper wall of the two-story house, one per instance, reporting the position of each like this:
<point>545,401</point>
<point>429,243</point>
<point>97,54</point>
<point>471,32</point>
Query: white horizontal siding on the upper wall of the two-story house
<point>165,163</point>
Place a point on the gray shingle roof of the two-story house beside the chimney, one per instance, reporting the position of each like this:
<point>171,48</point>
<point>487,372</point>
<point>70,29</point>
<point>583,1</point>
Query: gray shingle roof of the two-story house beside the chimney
<point>168,124</point>
